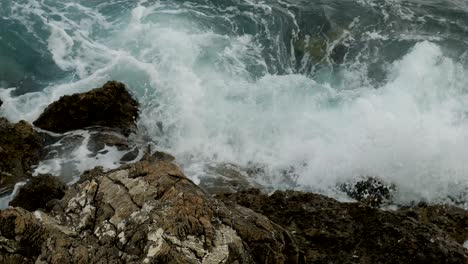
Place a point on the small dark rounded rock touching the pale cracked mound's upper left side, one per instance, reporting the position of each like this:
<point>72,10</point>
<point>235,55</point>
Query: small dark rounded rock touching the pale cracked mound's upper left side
<point>38,192</point>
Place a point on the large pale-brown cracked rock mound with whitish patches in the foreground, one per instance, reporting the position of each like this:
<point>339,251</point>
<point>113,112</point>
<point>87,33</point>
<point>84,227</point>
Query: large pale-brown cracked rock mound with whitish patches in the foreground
<point>146,212</point>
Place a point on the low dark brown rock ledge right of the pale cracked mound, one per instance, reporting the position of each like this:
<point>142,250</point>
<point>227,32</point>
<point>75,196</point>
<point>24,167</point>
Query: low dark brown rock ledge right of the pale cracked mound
<point>328,231</point>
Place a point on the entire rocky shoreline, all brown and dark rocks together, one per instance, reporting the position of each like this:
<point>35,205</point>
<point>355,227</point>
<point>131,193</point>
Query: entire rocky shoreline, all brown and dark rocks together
<point>148,211</point>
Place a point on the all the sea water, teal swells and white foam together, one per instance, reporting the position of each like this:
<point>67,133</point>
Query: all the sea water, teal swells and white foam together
<point>316,93</point>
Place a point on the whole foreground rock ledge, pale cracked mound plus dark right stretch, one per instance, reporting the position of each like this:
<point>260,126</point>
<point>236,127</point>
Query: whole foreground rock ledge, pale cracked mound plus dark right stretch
<point>149,212</point>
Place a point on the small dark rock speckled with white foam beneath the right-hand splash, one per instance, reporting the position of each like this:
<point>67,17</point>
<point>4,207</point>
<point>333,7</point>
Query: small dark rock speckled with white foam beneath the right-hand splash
<point>371,191</point>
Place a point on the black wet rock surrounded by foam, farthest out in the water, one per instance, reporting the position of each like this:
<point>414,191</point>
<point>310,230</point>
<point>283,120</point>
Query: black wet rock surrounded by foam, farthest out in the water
<point>109,106</point>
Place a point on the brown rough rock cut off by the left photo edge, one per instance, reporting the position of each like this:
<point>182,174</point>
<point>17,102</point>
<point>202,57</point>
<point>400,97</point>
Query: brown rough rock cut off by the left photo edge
<point>20,148</point>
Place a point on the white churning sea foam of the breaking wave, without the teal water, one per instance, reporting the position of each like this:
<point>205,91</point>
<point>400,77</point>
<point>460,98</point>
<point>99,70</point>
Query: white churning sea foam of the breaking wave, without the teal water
<point>411,130</point>
